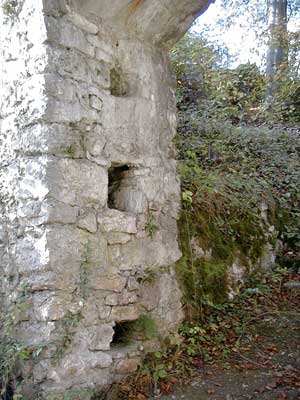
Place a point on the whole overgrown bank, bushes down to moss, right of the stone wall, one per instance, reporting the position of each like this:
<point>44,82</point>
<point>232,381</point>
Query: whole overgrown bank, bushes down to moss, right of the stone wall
<point>230,168</point>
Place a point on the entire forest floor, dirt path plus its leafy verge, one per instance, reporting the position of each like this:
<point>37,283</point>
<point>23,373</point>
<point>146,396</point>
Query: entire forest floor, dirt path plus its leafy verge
<point>262,360</point>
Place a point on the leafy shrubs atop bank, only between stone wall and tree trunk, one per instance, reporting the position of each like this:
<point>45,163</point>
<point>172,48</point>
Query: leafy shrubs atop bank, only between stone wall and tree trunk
<point>207,90</point>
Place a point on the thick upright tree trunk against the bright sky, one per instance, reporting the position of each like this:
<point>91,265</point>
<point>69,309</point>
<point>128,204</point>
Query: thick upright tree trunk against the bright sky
<point>277,57</point>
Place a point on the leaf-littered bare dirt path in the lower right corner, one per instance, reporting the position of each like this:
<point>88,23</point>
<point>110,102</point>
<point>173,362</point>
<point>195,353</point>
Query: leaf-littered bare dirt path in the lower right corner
<point>267,366</point>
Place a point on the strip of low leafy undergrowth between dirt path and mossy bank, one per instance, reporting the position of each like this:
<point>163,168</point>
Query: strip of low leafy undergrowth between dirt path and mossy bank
<point>215,342</point>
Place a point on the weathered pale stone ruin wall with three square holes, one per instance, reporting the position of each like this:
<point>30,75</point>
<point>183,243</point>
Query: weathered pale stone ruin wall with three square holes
<point>89,191</point>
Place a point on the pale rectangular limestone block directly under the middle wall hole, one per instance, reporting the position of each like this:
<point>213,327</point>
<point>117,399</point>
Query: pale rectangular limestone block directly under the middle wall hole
<point>117,221</point>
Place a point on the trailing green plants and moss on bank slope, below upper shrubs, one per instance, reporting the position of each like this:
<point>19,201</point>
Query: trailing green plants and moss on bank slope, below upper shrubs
<point>227,174</point>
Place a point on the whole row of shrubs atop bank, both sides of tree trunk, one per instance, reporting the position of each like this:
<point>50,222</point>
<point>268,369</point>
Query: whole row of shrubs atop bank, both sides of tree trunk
<point>207,90</point>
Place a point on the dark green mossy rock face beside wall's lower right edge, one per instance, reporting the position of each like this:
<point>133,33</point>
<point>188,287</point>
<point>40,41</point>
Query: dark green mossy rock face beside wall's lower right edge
<point>205,278</point>
